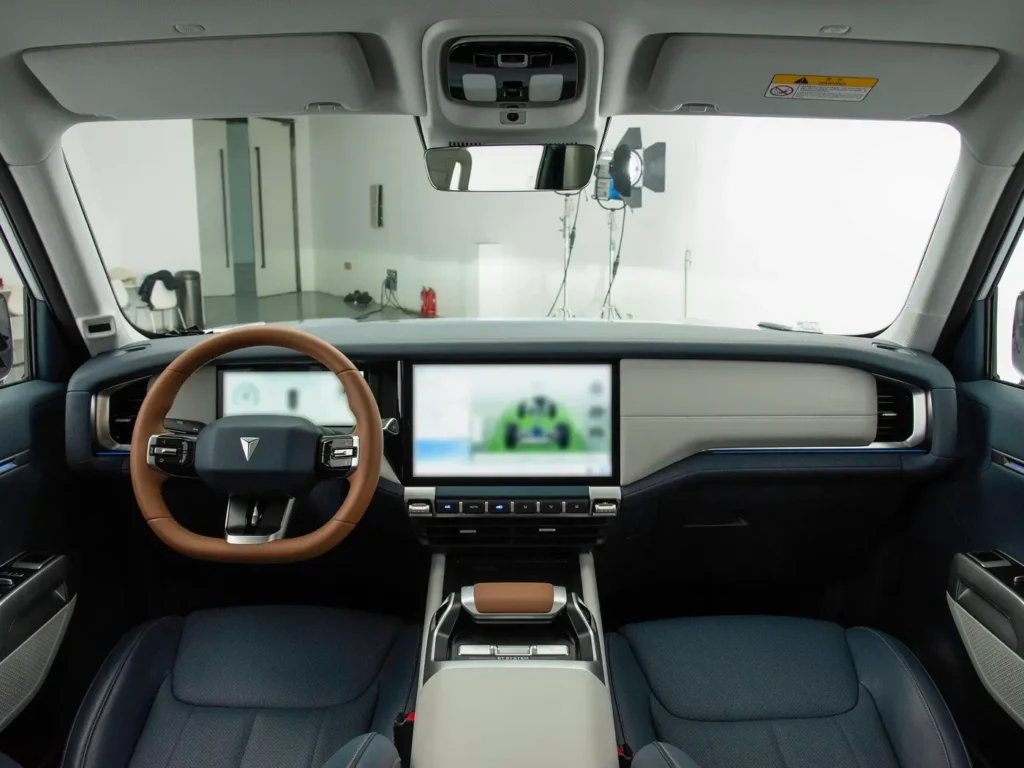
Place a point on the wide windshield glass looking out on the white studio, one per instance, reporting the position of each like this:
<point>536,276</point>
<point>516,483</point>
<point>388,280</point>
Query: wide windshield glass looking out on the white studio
<point>810,224</point>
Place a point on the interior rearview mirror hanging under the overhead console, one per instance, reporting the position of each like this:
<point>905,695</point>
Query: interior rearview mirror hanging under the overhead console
<point>510,168</point>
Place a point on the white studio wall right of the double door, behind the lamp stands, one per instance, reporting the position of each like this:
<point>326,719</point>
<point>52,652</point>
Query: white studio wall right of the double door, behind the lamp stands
<point>784,221</point>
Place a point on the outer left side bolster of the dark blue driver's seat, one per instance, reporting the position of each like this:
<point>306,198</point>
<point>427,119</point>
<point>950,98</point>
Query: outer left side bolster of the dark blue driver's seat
<point>117,705</point>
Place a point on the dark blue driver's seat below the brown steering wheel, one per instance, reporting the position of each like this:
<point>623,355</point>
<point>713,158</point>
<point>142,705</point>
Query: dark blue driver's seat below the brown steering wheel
<point>264,688</point>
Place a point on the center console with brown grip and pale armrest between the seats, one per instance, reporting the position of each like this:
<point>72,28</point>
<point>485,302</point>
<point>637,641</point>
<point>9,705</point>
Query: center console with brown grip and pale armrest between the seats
<point>515,674</point>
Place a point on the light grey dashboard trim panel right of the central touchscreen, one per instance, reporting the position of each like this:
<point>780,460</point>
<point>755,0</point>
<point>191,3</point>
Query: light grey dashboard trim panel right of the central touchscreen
<point>671,410</point>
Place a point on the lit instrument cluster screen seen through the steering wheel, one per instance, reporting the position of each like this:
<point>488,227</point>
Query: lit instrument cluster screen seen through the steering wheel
<point>316,396</point>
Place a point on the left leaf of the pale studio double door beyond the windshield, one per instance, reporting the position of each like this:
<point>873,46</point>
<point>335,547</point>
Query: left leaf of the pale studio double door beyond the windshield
<point>210,139</point>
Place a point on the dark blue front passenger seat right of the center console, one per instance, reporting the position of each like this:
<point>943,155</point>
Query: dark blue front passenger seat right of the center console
<point>774,693</point>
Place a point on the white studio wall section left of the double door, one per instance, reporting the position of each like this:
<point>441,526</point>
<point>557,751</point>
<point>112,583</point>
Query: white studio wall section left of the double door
<point>138,183</point>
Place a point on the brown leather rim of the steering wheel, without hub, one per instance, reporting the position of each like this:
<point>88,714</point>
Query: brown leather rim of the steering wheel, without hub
<point>148,483</point>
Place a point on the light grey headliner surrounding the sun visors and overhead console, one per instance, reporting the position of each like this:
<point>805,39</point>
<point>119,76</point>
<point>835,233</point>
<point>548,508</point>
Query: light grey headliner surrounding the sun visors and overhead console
<point>392,33</point>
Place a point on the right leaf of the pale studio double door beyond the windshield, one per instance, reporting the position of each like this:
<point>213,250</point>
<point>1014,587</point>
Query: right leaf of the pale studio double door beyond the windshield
<point>274,215</point>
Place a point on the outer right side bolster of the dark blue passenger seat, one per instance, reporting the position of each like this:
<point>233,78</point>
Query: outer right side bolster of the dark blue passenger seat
<point>915,715</point>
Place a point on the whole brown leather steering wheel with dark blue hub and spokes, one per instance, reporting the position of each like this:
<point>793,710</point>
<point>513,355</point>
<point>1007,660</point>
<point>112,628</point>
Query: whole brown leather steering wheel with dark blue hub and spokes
<point>287,442</point>
